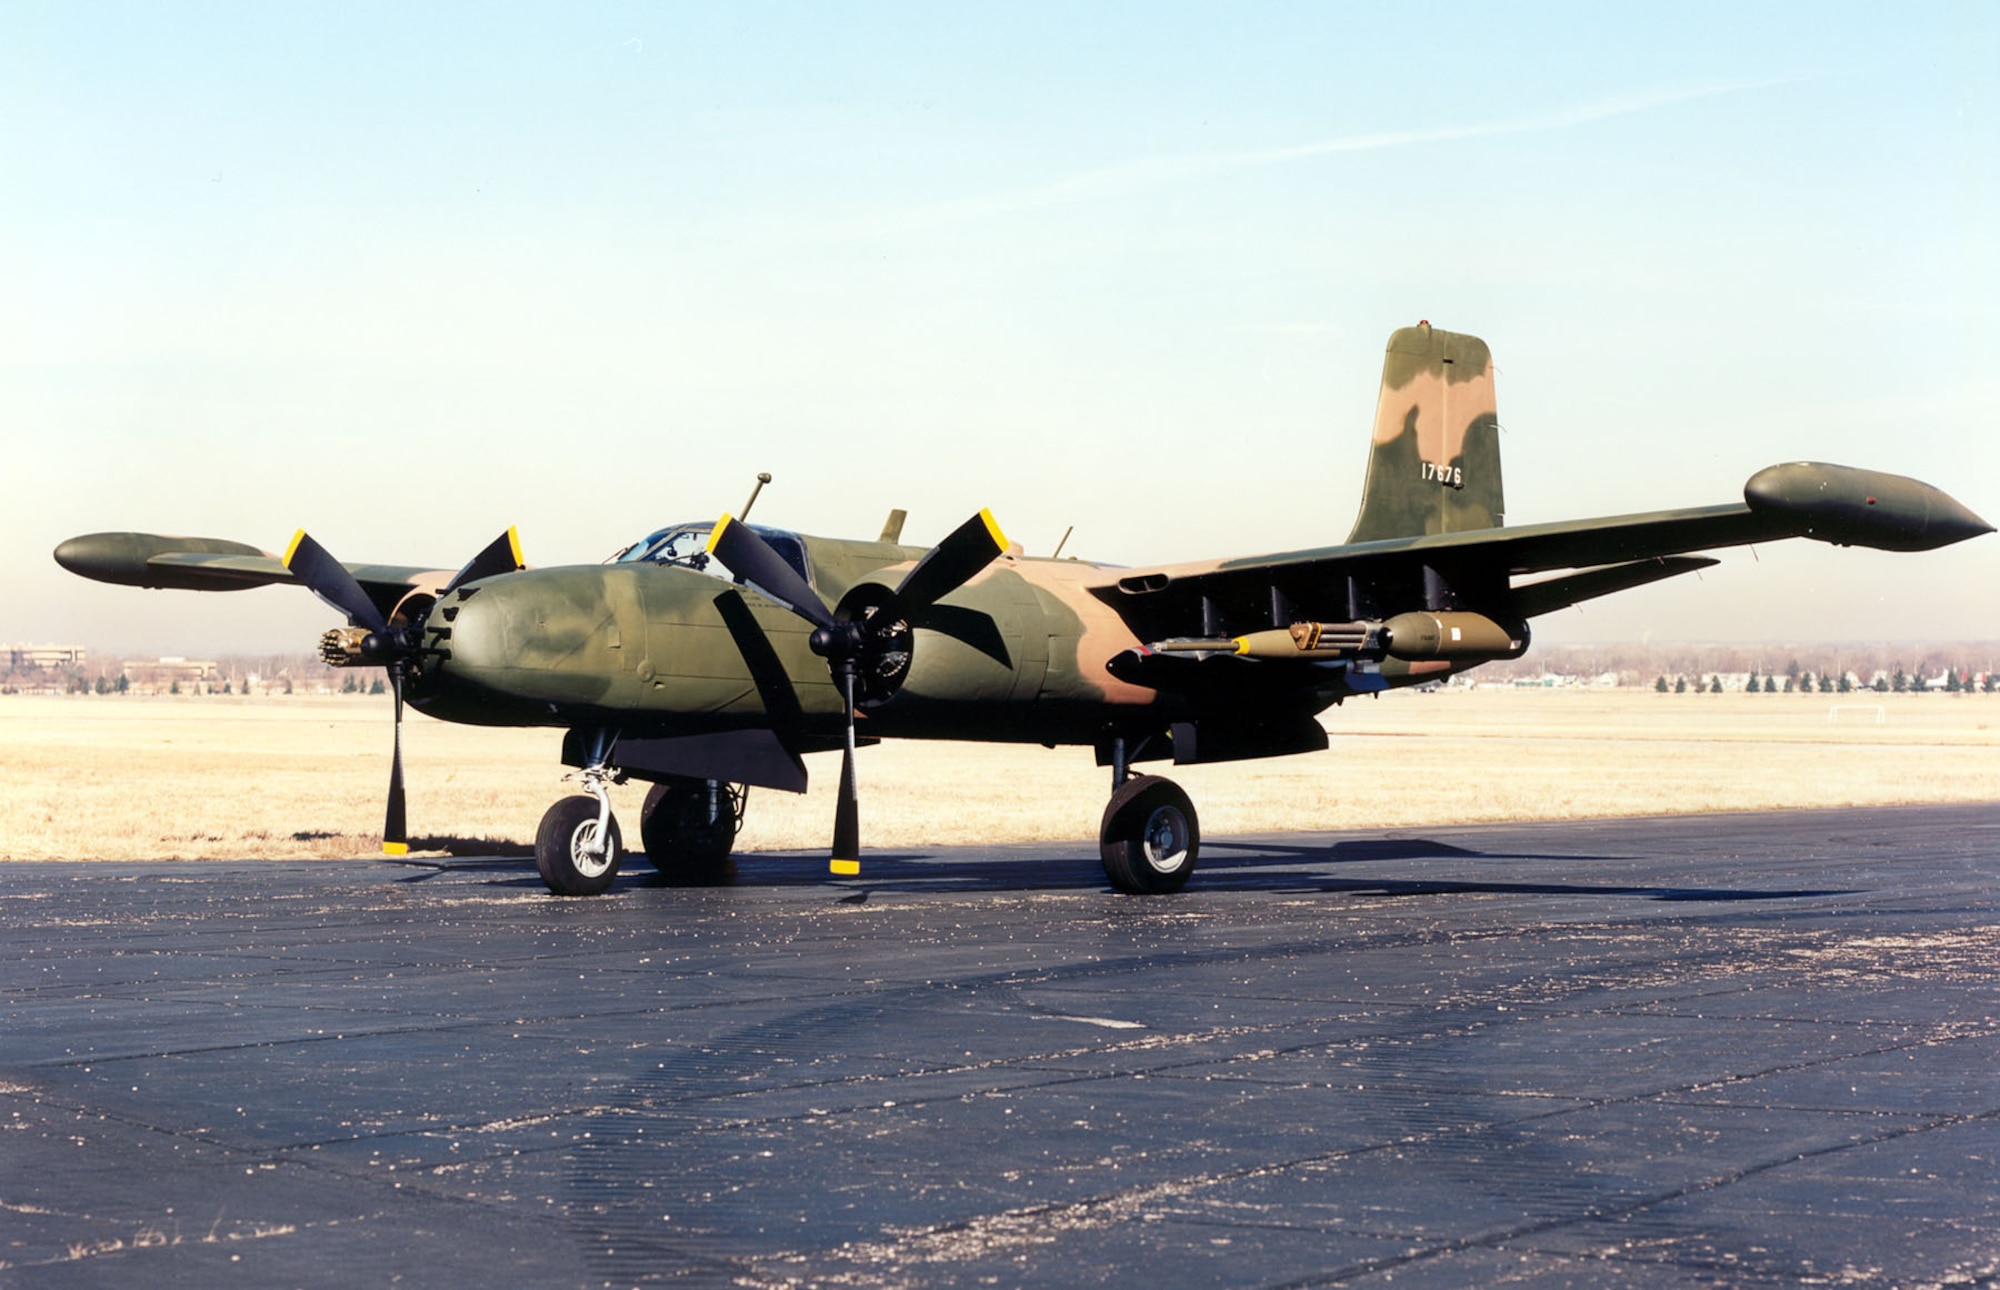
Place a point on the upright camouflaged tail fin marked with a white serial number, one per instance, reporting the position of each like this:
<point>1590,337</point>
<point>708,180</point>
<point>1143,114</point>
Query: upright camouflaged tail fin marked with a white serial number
<point>1435,463</point>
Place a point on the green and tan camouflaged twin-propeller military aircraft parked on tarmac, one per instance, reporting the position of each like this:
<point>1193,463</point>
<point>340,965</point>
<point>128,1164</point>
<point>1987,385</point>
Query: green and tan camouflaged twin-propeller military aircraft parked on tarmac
<point>713,657</point>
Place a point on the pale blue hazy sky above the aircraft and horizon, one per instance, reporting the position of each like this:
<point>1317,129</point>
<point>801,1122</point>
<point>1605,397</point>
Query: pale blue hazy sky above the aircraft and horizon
<point>411,275</point>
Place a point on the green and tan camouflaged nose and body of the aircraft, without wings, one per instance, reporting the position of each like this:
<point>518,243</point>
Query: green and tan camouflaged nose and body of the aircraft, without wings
<point>661,651</point>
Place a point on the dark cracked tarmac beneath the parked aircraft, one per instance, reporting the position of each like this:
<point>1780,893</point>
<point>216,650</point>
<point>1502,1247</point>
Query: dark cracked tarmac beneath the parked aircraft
<point>1701,1051</point>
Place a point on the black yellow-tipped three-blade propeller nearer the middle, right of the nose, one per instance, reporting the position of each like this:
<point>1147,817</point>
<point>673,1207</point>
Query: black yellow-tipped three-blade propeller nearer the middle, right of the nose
<point>843,643</point>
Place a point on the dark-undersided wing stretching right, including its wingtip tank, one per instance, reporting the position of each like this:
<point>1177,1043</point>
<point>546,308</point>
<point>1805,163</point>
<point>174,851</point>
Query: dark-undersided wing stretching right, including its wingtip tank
<point>1479,569</point>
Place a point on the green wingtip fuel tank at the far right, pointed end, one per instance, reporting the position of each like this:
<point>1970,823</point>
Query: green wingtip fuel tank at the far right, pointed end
<point>1853,507</point>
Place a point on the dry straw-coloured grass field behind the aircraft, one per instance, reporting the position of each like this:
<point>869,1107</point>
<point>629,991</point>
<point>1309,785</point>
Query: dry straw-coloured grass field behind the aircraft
<point>139,779</point>
